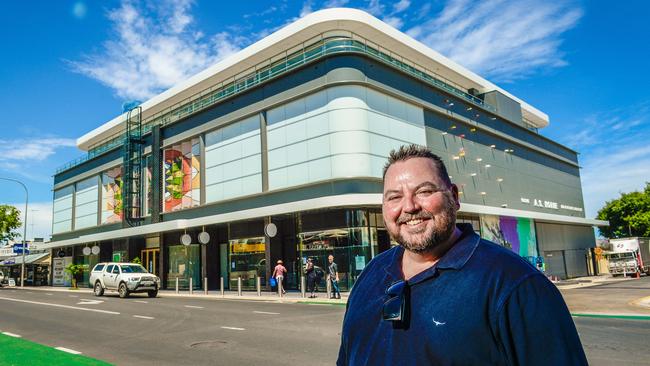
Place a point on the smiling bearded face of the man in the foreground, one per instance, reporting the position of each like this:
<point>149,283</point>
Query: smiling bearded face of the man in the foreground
<point>418,207</point>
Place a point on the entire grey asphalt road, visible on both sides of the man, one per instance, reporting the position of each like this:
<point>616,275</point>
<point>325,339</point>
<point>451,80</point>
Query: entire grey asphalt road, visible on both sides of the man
<point>172,330</point>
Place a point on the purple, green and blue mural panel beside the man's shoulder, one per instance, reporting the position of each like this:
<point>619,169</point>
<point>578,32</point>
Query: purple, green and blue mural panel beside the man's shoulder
<point>514,233</point>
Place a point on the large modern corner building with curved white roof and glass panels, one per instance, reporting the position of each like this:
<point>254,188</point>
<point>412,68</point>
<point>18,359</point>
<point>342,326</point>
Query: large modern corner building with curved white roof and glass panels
<point>277,152</point>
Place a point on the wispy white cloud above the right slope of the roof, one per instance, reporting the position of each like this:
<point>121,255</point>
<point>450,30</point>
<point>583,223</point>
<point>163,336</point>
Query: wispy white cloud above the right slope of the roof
<point>503,40</point>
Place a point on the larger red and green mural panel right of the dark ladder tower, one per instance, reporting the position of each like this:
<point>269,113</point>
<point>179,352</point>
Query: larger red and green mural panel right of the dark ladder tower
<point>182,179</point>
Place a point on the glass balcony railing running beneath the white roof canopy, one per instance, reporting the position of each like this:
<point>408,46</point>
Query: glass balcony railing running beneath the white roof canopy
<point>309,51</point>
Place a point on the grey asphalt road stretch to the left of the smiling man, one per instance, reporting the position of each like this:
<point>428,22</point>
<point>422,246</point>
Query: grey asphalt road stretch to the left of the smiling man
<point>173,331</point>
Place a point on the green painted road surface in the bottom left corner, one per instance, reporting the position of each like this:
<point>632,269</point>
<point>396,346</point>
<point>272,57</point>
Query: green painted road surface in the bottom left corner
<point>17,351</point>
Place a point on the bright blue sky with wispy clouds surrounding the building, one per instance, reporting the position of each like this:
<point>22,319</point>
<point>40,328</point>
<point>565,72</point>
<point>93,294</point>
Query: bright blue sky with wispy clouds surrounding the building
<point>68,66</point>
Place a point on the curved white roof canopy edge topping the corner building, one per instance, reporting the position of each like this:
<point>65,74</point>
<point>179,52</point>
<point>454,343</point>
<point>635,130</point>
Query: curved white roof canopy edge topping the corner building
<point>304,29</point>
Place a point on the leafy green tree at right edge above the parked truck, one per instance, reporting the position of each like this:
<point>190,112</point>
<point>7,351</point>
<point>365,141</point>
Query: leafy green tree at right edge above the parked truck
<point>628,215</point>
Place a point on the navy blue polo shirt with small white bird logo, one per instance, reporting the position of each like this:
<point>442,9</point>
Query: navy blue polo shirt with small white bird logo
<point>481,304</point>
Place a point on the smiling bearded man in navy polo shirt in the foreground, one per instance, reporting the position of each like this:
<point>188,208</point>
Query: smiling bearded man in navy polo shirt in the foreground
<point>444,295</point>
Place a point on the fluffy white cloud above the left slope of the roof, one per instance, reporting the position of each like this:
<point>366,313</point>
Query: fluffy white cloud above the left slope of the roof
<point>154,48</point>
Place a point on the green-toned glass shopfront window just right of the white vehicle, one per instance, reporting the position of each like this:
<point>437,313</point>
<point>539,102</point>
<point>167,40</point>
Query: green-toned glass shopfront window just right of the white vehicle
<point>184,263</point>
